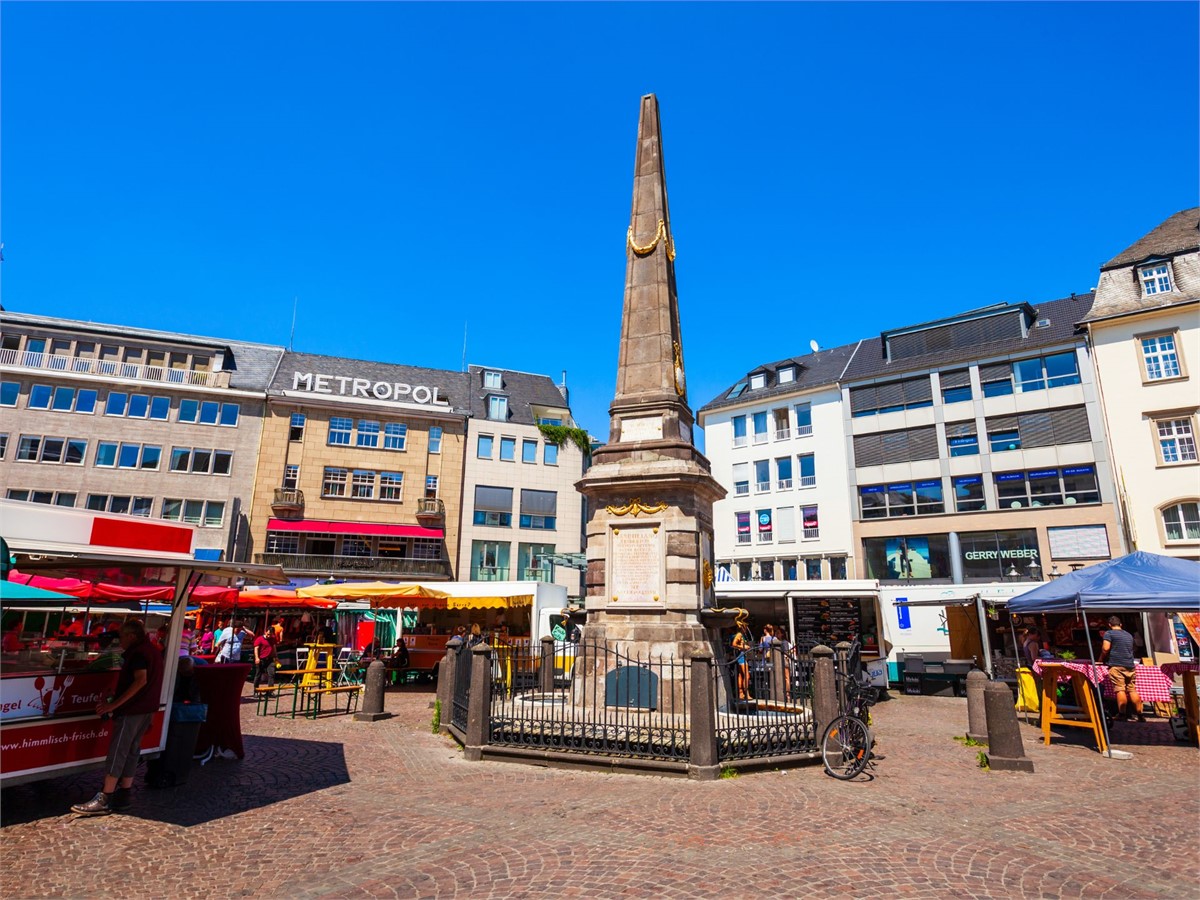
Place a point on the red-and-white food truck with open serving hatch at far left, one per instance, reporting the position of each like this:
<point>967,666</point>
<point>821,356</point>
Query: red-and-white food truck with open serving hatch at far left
<point>58,659</point>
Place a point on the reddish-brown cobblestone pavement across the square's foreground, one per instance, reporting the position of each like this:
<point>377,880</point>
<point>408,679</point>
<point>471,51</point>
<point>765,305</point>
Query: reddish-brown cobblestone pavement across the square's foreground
<point>338,808</point>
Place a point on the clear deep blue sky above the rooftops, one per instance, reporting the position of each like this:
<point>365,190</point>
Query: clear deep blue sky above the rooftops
<point>410,170</point>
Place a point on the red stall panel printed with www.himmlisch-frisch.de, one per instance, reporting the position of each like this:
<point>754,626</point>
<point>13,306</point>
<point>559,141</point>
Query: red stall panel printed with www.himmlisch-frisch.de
<point>47,746</point>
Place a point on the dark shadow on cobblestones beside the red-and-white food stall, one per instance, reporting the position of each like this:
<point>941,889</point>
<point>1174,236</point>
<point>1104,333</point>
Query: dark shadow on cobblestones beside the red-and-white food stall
<point>274,770</point>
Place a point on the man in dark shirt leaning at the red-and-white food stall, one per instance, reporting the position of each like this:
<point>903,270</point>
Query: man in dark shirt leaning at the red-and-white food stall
<point>139,692</point>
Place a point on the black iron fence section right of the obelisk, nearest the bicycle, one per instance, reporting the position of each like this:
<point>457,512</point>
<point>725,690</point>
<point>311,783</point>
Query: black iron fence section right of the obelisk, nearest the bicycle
<point>764,704</point>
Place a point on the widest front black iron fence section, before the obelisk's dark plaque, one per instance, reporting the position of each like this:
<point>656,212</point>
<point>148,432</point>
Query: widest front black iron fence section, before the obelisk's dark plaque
<point>591,698</point>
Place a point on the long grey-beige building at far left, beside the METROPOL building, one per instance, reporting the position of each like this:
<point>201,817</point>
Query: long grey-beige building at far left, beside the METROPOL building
<point>134,422</point>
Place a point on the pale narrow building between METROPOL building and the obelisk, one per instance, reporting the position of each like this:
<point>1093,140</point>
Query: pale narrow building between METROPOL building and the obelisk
<point>520,503</point>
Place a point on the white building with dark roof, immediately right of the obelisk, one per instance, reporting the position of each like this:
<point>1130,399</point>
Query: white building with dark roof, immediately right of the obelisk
<point>775,440</point>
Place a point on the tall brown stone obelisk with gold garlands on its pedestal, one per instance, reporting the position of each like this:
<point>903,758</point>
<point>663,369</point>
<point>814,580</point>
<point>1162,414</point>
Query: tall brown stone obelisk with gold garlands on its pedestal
<point>651,494</point>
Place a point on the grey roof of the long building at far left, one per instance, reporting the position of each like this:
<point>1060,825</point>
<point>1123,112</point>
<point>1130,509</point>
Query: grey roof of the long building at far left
<point>251,365</point>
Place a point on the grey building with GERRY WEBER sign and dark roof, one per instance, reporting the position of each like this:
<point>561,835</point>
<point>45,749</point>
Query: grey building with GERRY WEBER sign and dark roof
<point>977,448</point>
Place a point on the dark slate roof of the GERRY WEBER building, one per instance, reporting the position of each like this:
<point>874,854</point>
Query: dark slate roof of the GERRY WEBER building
<point>871,363</point>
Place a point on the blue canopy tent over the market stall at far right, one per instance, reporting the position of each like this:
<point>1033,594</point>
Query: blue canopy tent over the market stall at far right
<point>1139,583</point>
